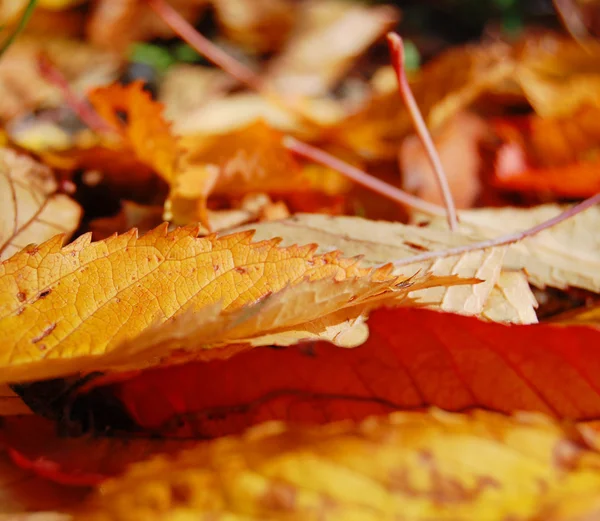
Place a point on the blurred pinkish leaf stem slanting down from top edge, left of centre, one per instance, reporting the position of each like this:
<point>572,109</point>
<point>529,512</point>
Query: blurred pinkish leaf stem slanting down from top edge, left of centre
<point>205,47</point>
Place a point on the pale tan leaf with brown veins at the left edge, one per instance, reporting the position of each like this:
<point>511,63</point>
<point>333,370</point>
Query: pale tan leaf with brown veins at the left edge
<point>31,210</point>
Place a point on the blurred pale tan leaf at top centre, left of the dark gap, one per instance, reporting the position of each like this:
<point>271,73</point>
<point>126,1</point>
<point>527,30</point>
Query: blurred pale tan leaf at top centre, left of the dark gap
<point>319,52</point>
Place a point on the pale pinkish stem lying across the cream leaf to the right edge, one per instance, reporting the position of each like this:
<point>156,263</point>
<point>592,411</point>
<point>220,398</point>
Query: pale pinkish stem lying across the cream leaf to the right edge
<point>505,239</point>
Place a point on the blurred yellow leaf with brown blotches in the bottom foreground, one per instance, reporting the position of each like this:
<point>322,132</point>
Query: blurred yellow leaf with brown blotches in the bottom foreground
<point>411,466</point>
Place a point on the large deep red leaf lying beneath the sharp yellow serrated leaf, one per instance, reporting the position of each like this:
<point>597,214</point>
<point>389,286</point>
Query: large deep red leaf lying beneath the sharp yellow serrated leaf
<point>414,358</point>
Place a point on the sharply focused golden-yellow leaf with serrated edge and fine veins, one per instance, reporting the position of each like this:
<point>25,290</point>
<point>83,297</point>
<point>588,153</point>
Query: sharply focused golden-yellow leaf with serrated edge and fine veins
<point>61,309</point>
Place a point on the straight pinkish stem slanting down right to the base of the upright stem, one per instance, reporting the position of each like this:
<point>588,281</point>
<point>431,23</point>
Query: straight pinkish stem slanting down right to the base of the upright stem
<point>362,178</point>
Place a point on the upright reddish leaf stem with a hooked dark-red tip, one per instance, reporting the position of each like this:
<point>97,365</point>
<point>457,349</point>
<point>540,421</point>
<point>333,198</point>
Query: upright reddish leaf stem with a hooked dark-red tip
<point>397,52</point>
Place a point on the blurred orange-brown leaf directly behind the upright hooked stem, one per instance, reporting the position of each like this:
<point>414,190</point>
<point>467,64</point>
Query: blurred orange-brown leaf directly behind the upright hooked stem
<point>457,143</point>
